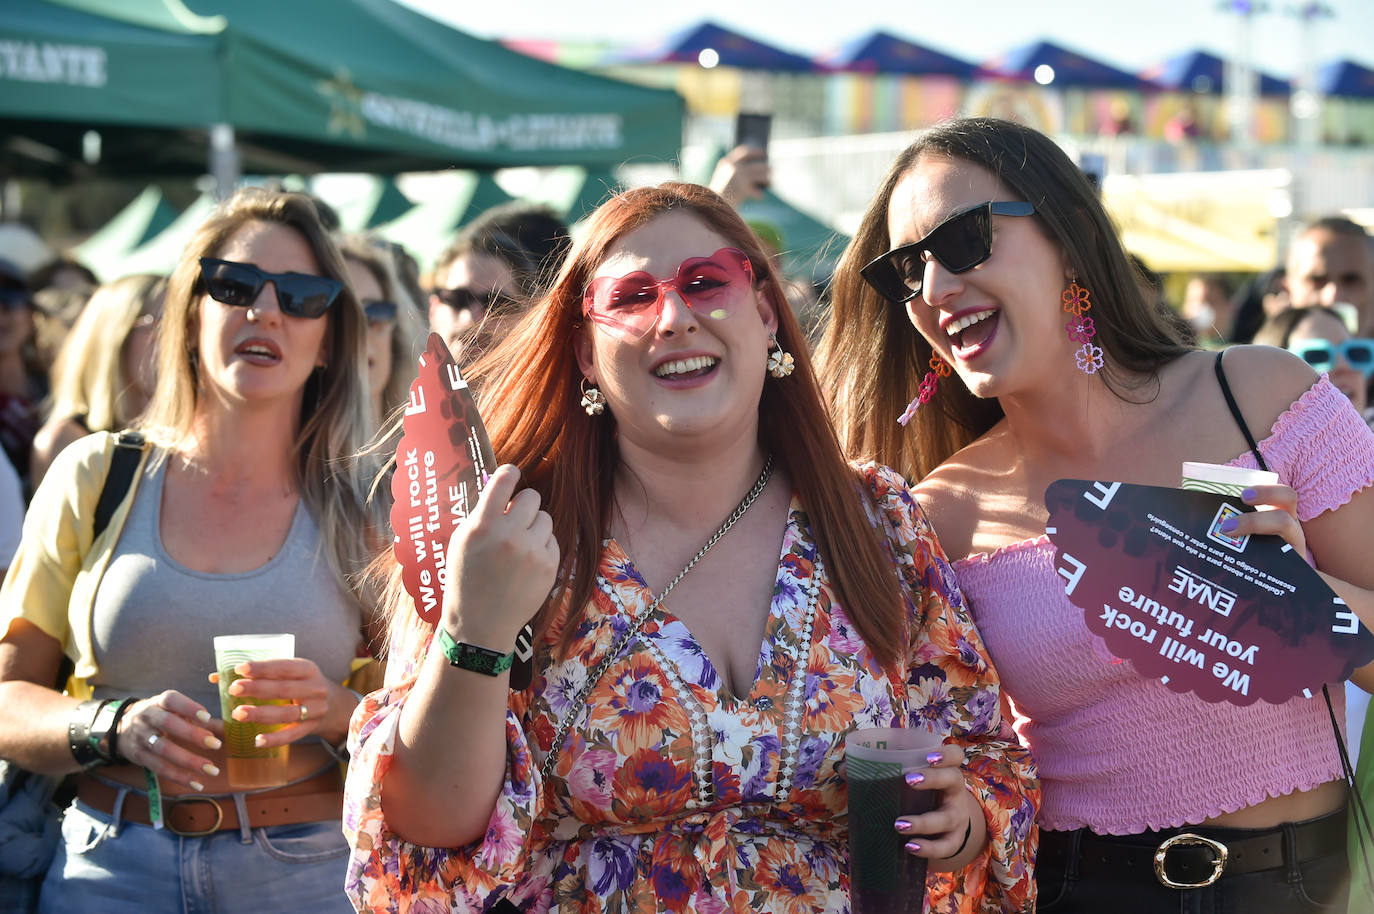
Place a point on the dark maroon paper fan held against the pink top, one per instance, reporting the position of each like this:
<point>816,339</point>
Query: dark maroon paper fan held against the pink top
<point>1228,619</point>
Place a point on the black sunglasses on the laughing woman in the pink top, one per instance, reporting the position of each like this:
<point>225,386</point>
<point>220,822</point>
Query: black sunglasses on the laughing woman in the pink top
<point>960,244</point>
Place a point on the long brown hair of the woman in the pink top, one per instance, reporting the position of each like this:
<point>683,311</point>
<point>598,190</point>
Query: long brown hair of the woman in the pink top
<point>872,359</point>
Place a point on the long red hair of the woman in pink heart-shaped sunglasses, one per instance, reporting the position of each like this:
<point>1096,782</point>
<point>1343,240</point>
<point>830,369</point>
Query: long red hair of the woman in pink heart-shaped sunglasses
<point>571,458</point>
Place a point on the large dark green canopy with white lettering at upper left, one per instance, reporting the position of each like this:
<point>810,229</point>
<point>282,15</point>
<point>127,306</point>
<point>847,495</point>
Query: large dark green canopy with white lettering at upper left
<point>308,86</point>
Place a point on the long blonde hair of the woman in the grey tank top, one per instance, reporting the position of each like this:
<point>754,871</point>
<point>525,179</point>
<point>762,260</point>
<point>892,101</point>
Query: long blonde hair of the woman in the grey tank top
<point>336,414</point>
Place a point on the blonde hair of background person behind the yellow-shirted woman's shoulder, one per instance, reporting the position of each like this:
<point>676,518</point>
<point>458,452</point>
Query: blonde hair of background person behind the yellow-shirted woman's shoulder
<point>89,377</point>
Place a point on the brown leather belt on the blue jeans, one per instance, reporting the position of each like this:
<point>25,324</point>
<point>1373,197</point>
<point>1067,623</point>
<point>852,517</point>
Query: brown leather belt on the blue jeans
<point>192,814</point>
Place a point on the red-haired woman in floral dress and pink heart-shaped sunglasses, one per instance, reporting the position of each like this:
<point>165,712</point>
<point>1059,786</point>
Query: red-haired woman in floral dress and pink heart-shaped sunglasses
<point>718,600</point>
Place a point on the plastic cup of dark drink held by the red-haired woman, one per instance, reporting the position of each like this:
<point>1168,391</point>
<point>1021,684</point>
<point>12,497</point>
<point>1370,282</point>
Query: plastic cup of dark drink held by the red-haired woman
<point>884,879</point>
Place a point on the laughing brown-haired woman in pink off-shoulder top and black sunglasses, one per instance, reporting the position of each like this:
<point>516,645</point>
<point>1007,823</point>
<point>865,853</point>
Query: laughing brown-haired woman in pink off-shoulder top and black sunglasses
<point>990,337</point>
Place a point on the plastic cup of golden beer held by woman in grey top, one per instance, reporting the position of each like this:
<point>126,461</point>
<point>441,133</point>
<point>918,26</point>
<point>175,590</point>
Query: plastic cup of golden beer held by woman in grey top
<point>248,765</point>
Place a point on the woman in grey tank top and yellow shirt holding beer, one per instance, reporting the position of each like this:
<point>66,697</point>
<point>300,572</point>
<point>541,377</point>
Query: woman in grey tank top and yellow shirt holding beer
<point>241,516</point>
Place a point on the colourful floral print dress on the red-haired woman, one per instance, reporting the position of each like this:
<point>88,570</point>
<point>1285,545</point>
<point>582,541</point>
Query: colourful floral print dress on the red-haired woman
<point>673,795</point>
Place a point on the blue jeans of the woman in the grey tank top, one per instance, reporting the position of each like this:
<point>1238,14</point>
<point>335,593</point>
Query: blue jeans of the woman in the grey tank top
<point>119,868</point>
